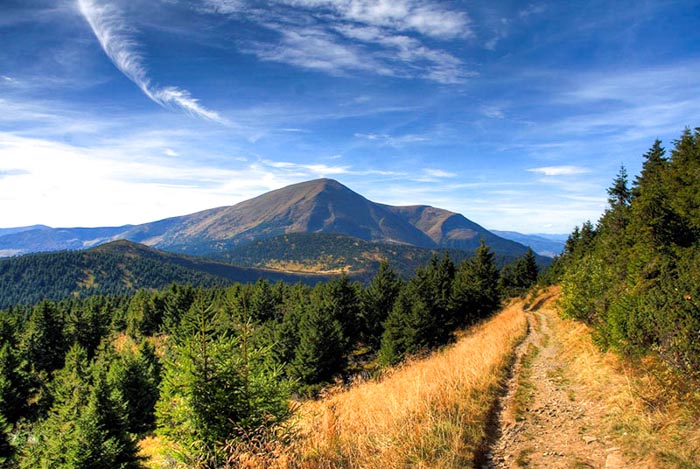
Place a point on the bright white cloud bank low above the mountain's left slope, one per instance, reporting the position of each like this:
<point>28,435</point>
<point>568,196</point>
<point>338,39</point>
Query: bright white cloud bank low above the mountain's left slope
<point>64,185</point>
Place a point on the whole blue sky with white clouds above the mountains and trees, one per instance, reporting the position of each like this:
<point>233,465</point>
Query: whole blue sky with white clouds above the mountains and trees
<point>516,114</point>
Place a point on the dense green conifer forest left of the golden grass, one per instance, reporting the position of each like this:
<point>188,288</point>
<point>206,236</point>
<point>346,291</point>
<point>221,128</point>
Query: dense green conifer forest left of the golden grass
<point>82,380</point>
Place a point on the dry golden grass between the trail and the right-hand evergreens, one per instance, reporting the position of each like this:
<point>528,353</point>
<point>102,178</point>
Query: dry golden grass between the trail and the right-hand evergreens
<point>650,415</point>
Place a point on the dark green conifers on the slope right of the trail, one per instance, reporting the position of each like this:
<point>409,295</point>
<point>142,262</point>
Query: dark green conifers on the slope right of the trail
<point>635,275</point>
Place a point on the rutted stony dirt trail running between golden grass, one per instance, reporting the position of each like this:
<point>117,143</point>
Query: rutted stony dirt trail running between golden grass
<point>541,422</point>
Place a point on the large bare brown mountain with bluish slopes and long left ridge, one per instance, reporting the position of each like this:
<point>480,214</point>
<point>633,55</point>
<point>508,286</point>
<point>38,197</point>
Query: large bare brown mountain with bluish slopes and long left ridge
<point>318,206</point>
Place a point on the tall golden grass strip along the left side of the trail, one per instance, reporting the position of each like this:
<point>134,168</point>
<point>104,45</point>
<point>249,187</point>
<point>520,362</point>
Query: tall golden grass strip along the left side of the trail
<point>429,413</point>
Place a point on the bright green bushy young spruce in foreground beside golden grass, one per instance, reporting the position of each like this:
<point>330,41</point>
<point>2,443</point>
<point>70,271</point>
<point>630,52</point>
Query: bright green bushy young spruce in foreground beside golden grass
<point>214,385</point>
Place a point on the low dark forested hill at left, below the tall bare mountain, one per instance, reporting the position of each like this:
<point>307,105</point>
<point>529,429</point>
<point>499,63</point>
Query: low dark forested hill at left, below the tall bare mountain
<point>117,268</point>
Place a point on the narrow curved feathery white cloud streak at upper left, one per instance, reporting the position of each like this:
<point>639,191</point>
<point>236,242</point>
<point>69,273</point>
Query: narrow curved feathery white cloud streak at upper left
<point>115,37</point>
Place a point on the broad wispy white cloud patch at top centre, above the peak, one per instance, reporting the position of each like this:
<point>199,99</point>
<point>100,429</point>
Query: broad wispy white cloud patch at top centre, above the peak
<point>339,37</point>
